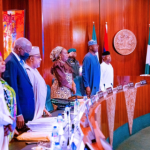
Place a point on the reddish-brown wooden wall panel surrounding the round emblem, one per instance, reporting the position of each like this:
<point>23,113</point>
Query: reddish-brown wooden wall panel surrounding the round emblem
<point>126,14</point>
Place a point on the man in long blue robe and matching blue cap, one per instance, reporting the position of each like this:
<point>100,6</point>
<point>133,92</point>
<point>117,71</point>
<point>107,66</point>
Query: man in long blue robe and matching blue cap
<point>91,69</point>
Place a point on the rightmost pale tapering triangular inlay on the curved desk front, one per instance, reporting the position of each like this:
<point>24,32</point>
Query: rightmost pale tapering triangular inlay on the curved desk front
<point>130,97</point>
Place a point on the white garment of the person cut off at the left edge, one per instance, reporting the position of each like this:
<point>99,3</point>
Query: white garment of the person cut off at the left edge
<point>4,120</point>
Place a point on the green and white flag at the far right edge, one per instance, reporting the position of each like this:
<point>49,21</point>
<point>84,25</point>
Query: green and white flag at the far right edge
<point>147,66</point>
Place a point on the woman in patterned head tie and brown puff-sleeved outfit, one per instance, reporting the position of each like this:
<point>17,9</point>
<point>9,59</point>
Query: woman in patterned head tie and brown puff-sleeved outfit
<point>63,84</point>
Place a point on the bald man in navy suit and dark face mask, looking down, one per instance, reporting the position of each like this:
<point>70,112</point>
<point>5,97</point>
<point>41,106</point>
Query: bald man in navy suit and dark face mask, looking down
<point>17,78</point>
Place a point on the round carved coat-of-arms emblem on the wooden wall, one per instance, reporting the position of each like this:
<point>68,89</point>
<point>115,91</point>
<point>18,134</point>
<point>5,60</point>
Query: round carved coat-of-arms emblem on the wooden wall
<point>125,42</point>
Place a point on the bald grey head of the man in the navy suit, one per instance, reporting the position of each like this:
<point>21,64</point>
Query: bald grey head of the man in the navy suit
<point>22,45</point>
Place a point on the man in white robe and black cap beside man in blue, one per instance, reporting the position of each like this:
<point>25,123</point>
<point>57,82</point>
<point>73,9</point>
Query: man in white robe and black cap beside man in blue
<point>107,72</point>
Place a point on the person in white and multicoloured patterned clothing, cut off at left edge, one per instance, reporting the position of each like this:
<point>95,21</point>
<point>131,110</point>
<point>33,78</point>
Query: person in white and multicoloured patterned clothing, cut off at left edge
<point>7,111</point>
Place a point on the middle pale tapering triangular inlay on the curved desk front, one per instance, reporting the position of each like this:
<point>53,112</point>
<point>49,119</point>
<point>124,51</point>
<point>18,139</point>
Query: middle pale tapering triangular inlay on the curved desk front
<point>111,105</point>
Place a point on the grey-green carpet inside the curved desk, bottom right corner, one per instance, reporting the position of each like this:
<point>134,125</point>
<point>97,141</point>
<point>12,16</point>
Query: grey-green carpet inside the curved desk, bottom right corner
<point>138,141</point>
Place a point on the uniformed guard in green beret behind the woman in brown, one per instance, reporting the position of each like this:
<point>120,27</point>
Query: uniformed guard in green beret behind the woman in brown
<point>73,62</point>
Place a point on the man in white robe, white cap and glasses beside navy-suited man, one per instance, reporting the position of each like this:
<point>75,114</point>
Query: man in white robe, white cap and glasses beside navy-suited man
<point>37,81</point>
